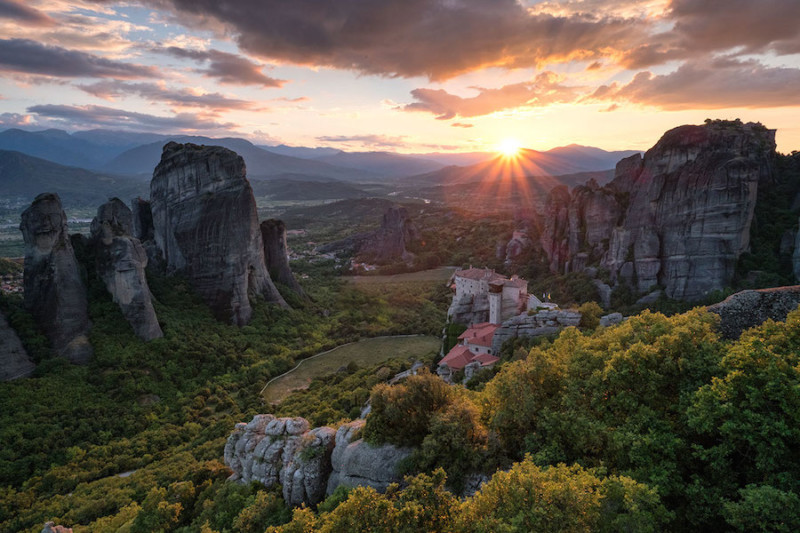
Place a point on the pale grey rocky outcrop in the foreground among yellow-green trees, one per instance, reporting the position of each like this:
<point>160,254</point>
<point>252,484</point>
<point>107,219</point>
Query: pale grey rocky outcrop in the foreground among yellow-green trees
<point>308,463</point>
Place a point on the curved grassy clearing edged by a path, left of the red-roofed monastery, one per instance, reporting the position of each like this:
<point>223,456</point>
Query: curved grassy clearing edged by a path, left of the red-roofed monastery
<point>363,353</point>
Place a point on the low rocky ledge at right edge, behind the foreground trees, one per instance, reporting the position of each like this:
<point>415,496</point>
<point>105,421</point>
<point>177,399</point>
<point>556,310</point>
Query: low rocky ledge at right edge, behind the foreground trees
<point>747,309</point>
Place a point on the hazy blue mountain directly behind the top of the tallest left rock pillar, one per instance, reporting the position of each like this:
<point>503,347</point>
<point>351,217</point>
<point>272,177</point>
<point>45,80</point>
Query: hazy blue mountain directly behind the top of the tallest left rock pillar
<point>260,163</point>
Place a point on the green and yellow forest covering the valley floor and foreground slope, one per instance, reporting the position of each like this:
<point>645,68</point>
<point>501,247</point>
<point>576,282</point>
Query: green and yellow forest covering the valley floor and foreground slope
<point>655,424</point>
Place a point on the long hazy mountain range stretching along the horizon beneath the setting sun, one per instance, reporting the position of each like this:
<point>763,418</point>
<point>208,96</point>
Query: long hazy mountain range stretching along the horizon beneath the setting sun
<point>92,165</point>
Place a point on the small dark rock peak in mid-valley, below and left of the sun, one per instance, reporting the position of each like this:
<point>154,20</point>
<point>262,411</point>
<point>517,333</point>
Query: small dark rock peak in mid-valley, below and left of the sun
<point>388,243</point>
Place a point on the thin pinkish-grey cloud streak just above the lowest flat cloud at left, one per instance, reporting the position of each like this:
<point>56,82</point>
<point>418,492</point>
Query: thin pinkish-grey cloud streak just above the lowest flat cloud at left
<point>160,93</point>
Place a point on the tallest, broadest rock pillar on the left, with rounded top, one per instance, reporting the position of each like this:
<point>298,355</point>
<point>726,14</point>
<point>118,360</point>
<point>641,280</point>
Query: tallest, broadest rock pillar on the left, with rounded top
<point>206,226</point>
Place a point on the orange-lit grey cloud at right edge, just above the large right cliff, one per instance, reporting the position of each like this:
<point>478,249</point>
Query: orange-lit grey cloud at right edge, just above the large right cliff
<point>711,84</point>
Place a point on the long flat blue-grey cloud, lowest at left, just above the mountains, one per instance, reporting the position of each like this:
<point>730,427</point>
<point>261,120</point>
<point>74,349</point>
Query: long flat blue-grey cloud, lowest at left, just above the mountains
<point>107,117</point>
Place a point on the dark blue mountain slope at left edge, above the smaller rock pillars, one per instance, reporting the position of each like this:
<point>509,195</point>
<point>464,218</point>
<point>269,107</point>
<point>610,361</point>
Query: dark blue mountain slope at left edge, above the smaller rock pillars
<point>24,177</point>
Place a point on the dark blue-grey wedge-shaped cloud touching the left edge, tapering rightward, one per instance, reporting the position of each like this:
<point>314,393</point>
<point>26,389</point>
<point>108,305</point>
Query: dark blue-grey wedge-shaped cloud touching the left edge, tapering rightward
<point>30,57</point>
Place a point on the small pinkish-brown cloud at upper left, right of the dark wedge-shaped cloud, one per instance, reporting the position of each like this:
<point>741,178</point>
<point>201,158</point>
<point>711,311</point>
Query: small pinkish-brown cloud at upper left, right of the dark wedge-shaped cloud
<point>225,67</point>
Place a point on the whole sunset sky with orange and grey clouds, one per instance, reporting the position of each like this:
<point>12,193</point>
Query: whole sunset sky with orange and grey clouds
<point>402,75</point>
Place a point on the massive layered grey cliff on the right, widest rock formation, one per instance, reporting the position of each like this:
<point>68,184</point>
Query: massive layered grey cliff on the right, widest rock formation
<point>679,217</point>
